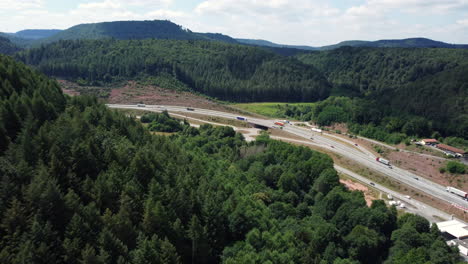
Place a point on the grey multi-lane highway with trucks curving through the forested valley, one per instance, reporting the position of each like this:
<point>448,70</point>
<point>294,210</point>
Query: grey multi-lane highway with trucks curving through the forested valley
<point>348,151</point>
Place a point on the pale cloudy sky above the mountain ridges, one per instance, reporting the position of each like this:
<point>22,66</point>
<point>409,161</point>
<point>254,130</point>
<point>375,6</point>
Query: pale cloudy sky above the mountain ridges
<point>304,22</point>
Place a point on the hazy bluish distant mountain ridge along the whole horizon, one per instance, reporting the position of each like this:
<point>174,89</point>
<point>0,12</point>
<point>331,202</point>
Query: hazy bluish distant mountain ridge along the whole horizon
<point>165,29</point>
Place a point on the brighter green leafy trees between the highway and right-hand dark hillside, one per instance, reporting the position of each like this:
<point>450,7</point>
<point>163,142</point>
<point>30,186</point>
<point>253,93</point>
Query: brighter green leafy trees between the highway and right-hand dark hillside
<point>369,119</point>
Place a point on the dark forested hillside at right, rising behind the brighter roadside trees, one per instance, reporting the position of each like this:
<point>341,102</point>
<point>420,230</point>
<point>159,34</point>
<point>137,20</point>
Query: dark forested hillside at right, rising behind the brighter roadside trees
<point>427,83</point>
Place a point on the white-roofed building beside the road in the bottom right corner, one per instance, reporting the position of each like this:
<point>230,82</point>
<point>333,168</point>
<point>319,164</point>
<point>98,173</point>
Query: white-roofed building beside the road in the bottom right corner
<point>455,234</point>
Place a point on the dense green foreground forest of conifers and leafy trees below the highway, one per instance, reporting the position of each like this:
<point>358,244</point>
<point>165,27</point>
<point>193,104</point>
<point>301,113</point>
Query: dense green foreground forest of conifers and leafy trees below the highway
<point>81,183</point>
